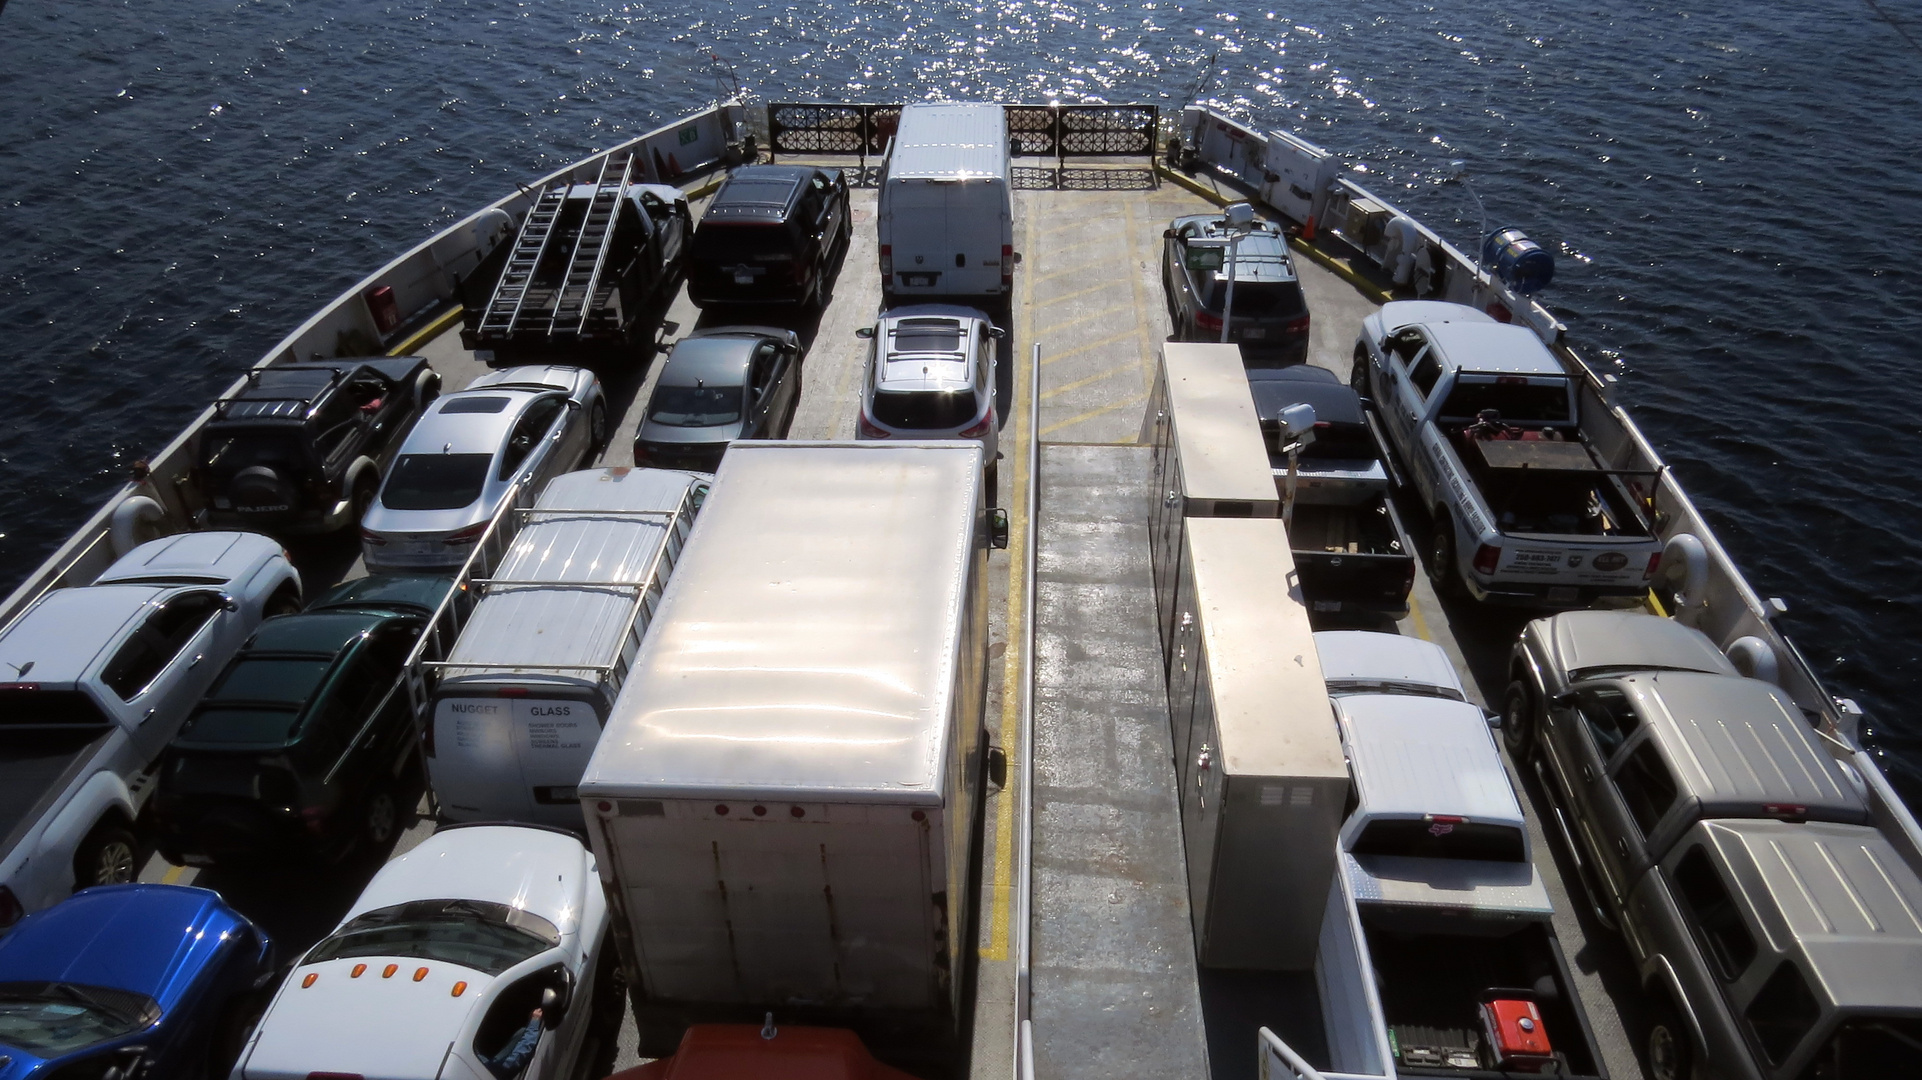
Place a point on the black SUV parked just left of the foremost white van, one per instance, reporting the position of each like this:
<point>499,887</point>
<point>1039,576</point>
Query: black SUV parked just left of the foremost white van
<point>772,235</point>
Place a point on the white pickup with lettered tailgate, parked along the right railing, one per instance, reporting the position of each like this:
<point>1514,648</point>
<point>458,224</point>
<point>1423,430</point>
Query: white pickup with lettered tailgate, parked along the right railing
<point>1487,424</point>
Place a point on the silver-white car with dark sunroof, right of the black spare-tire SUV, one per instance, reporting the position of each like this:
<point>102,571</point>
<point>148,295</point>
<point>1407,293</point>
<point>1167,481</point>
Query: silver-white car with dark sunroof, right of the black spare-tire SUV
<point>464,458</point>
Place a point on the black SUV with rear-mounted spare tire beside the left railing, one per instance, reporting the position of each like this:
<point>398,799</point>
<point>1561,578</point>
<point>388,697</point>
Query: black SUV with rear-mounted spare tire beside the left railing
<point>303,447</point>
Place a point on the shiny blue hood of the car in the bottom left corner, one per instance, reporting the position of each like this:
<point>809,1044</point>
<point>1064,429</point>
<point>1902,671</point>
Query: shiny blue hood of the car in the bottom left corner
<point>145,939</point>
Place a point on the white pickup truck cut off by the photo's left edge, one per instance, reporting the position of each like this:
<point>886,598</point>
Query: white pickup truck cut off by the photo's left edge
<point>99,679</point>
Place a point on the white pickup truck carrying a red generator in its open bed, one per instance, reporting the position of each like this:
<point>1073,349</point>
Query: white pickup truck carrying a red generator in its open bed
<point>1439,954</point>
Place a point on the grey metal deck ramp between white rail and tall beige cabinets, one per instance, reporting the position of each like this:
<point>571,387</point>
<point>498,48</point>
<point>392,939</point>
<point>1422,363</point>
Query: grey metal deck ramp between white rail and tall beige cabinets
<point>1114,950</point>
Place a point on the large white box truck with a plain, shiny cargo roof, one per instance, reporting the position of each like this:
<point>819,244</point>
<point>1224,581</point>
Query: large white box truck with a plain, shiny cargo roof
<point>787,798</point>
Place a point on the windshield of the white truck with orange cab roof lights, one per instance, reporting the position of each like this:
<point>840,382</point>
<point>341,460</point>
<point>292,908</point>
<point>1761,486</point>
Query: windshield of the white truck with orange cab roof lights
<point>470,933</point>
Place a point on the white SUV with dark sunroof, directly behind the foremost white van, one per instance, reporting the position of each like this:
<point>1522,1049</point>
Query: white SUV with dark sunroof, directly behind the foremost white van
<point>931,376</point>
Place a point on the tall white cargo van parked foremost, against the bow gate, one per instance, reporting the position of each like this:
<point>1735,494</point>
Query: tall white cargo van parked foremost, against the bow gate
<point>947,207</point>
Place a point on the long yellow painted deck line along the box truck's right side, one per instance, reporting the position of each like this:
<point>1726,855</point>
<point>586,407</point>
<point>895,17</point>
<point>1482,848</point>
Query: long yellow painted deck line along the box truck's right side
<point>1020,533</point>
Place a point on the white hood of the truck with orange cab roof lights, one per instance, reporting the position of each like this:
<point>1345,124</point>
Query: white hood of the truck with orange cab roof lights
<point>526,868</point>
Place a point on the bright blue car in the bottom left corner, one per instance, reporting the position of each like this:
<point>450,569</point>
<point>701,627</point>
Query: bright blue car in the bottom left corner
<point>130,983</point>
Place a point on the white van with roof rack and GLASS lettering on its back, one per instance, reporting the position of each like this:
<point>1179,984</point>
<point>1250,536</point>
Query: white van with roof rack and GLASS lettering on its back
<point>522,699</point>
